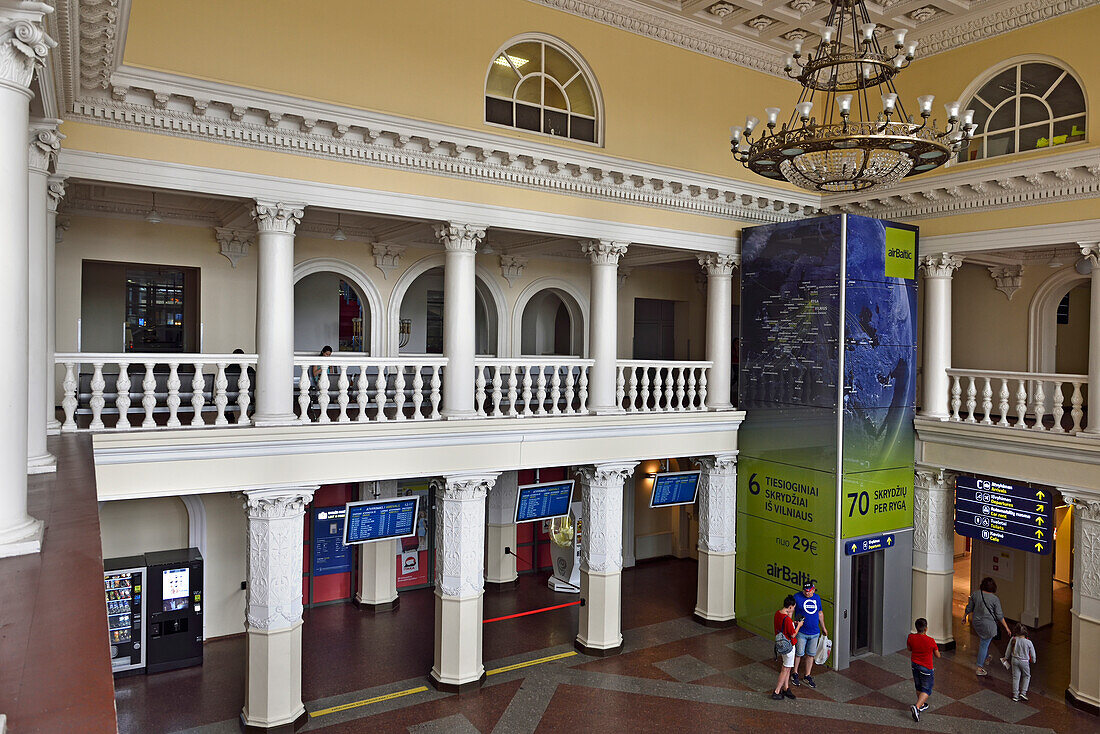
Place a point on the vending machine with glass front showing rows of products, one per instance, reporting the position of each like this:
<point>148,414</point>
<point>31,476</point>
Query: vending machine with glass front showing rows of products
<point>126,614</point>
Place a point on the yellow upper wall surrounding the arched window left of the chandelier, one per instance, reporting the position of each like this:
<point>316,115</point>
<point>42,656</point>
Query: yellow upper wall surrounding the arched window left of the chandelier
<point>428,61</point>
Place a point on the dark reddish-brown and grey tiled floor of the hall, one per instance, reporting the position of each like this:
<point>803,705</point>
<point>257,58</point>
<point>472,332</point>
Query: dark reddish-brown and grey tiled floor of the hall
<point>674,675</point>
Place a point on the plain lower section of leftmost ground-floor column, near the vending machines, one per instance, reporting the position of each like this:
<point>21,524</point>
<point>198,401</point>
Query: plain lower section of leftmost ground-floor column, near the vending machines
<point>273,681</point>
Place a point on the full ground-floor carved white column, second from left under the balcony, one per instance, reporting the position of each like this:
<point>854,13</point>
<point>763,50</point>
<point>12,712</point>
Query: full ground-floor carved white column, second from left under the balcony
<point>460,568</point>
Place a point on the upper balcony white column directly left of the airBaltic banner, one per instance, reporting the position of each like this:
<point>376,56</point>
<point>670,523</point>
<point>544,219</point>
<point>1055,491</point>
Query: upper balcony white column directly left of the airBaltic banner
<point>720,333</point>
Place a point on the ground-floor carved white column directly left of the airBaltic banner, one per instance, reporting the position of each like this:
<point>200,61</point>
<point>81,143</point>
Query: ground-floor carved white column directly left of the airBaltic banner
<point>718,540</point>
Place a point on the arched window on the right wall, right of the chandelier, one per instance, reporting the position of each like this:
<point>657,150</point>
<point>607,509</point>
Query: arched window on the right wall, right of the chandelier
<point>1029,106</point>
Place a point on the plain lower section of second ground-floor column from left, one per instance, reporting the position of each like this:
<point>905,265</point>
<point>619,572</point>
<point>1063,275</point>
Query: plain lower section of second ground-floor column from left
<point>459,626</point>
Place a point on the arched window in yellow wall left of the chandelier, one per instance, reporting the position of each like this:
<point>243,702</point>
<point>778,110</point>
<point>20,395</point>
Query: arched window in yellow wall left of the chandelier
<point>543,87</point>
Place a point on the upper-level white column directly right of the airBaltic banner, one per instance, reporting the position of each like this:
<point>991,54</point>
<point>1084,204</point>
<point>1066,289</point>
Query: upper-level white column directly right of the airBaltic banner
<point>938,334</point>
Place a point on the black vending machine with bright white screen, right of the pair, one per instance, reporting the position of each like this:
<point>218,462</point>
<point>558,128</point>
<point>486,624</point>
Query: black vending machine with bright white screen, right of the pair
<point>174,604</point>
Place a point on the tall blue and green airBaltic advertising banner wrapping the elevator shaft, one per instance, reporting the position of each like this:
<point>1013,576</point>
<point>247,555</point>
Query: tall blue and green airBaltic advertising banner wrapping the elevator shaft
<point>828,375</point>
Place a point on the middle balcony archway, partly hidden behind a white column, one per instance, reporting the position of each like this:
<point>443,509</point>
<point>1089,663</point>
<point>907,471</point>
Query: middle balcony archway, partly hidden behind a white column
<point>421,325</point>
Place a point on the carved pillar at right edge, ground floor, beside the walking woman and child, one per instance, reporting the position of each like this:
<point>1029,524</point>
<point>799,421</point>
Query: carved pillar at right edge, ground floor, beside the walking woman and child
<point>1084,689</point>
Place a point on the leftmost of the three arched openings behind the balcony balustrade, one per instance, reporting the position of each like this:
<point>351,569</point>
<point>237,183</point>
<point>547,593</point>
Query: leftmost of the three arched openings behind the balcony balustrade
<point>331,311</point>
